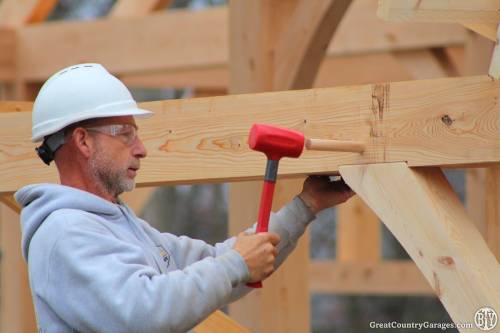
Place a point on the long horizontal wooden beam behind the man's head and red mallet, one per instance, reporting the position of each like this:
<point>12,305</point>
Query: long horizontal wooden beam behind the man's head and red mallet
<point>442,122</point>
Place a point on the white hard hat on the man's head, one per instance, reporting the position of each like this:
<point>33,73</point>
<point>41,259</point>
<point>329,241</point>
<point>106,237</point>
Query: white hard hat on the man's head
<point>77,93</point>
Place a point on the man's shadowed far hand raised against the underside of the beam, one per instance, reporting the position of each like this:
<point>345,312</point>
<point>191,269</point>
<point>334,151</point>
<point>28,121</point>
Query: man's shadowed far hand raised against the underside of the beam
<point>320,193</point>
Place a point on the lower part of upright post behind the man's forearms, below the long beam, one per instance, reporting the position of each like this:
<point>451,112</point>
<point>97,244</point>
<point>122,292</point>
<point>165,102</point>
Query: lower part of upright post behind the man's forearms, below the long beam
<point>277,307</point>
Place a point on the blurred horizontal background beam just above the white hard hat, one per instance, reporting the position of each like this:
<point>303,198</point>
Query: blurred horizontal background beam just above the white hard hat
<point>99,41</point>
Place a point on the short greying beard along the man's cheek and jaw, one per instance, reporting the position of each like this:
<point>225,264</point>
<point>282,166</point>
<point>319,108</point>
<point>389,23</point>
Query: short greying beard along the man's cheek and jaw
<point>112,178</point>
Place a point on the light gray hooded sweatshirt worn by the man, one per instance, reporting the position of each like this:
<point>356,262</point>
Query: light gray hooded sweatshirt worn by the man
<point>94,266</point>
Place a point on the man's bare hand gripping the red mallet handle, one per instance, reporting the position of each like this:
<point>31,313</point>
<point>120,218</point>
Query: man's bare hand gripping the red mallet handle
<point>259,252</point>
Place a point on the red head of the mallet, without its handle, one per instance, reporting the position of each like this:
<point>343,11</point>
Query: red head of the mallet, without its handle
<point>276,142</point>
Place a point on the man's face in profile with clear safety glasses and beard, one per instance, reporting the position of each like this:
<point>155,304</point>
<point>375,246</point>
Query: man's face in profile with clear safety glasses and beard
<point>117,153</point>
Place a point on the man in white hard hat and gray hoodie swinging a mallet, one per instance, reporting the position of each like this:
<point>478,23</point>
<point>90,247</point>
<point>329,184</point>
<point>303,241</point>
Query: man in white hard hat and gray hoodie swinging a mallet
<point>94,266</point>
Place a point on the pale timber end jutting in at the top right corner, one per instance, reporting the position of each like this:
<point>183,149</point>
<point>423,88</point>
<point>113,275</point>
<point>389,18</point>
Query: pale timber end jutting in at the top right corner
<point>477,11</point>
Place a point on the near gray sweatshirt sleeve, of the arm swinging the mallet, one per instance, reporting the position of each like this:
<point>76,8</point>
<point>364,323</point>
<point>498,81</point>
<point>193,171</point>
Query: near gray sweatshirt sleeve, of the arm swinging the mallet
<point>99,283</point>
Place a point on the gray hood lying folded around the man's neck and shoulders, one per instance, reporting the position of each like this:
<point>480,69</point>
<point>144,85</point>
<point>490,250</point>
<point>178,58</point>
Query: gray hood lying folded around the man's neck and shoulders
<point>40,200</point>
